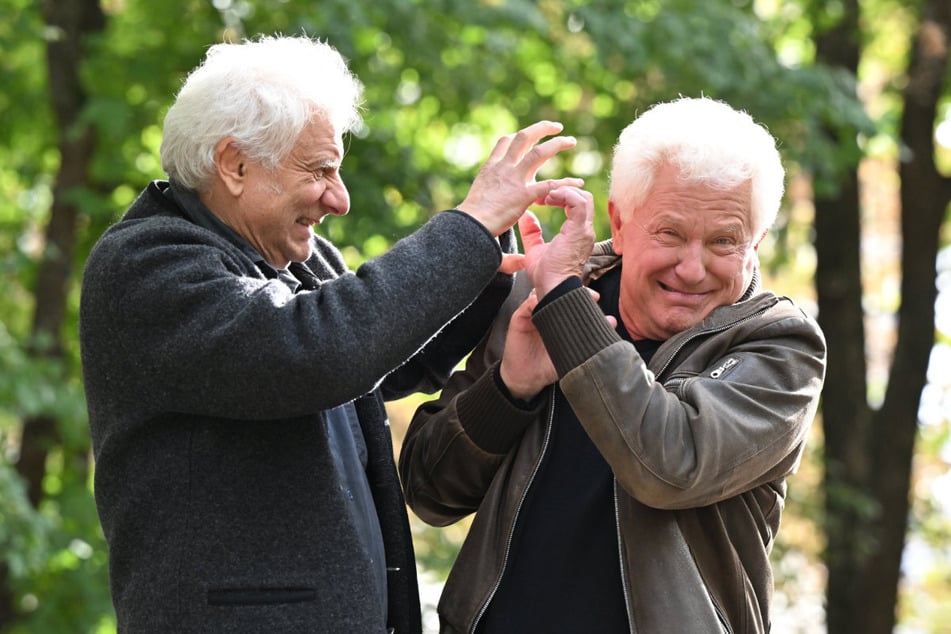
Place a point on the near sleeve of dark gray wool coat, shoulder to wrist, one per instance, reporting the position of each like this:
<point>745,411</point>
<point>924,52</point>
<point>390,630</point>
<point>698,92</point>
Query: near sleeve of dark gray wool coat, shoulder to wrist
<point>203,333</point>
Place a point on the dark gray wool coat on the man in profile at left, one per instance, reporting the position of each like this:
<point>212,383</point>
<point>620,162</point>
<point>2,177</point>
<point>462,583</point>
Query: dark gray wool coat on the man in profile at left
<point>207,384</point>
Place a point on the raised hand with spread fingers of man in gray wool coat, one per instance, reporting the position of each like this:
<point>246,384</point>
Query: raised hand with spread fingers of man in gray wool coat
<point>505,185</point>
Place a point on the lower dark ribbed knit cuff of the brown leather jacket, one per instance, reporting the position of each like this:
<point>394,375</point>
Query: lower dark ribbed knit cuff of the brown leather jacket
<point>493,422</point>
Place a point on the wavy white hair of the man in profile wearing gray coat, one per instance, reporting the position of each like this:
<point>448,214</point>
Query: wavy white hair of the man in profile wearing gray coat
<point>263,93</point>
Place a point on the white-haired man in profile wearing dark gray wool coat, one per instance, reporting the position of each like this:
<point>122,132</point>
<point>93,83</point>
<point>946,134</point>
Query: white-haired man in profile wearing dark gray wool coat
<point>236,370</point>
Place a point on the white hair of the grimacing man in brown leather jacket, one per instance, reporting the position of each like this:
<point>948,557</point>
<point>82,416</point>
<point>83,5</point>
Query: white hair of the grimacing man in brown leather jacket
<point>709,142</point>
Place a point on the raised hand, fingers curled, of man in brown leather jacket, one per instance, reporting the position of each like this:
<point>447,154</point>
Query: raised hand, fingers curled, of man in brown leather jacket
<point>547,265</point>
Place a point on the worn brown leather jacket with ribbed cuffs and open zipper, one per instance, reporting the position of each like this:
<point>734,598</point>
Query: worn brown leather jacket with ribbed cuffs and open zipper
<point>700,443</point>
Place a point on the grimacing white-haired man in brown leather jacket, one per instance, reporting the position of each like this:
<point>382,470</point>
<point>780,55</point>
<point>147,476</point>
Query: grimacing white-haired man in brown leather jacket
<point>625,432</point>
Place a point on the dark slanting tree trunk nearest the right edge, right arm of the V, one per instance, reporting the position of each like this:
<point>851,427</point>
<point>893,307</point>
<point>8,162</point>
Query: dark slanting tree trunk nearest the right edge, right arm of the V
<point>925,195</point>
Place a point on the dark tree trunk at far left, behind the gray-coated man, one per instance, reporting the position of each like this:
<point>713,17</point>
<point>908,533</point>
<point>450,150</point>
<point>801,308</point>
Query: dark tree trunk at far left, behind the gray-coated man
<point>70,22</point>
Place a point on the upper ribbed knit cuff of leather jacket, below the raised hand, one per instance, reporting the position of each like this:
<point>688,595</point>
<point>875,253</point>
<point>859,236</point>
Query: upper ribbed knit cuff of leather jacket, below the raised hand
<point>574,329</point>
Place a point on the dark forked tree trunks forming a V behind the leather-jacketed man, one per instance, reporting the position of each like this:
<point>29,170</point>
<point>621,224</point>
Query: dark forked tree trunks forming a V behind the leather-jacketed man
<point>868,455</point>
